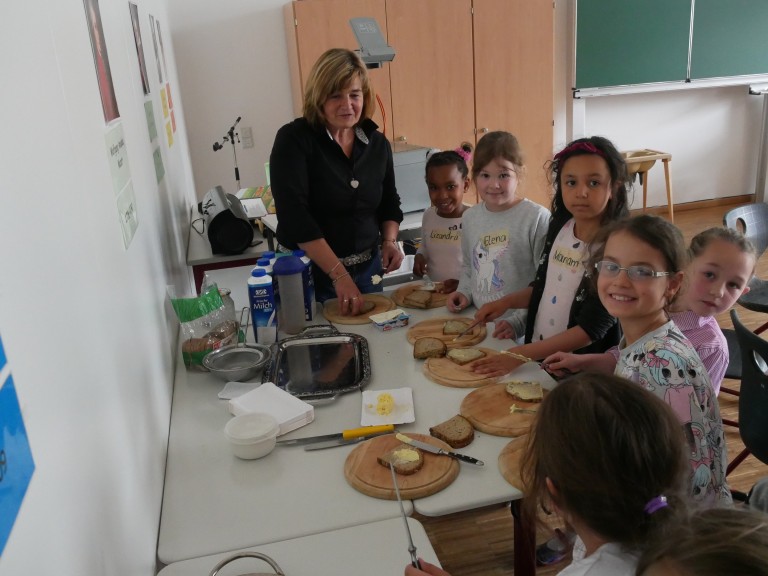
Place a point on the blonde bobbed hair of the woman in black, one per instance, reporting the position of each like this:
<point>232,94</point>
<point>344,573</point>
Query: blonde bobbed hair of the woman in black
<point>333,72</point>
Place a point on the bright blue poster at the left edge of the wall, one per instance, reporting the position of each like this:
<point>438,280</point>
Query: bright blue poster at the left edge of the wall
<point>16,462</point>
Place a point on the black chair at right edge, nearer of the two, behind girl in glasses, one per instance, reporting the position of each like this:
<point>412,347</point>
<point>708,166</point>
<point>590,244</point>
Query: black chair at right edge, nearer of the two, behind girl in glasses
<point>753,399</point>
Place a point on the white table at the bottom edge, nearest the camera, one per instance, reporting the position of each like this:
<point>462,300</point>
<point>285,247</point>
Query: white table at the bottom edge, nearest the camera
<point>376,549</point>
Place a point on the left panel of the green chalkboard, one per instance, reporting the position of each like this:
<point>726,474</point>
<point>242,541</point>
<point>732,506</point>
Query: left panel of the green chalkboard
<point>622,42</point>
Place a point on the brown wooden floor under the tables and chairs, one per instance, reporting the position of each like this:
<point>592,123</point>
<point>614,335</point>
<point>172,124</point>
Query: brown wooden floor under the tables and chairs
<point>480,542</point>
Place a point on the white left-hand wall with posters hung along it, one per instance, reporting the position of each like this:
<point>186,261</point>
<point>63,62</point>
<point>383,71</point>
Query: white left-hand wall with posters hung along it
<point>88,338</point>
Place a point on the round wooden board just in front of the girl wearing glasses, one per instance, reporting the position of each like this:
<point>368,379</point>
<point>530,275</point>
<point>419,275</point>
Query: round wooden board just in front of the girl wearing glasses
<point>487,408</point>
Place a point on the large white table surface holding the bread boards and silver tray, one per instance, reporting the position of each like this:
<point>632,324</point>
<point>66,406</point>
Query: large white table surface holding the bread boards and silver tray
<point>214,502</point>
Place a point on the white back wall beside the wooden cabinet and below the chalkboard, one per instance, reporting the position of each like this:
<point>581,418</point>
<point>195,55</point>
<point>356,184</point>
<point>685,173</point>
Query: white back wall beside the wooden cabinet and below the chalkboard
<point>233,62</point>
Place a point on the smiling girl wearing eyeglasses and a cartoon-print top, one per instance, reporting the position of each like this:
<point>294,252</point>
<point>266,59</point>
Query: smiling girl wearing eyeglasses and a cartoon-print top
<point>639,272</point>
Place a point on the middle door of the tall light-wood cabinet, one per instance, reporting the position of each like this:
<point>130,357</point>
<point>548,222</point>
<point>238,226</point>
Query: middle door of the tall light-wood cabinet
<point>431,75</point>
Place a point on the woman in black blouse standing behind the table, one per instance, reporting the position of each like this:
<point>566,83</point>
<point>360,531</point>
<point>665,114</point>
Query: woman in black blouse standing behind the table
<point>333,183</point>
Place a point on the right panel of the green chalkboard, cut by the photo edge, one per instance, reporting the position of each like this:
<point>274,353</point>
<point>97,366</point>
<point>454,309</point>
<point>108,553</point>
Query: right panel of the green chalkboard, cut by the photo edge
<point>730,38</point>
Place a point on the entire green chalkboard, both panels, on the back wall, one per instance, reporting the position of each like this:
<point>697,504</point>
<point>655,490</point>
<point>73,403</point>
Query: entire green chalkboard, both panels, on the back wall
<point>637,42</point>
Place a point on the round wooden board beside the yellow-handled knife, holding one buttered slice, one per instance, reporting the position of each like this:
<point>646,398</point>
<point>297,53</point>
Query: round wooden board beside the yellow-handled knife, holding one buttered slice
<point>366,475</point>
